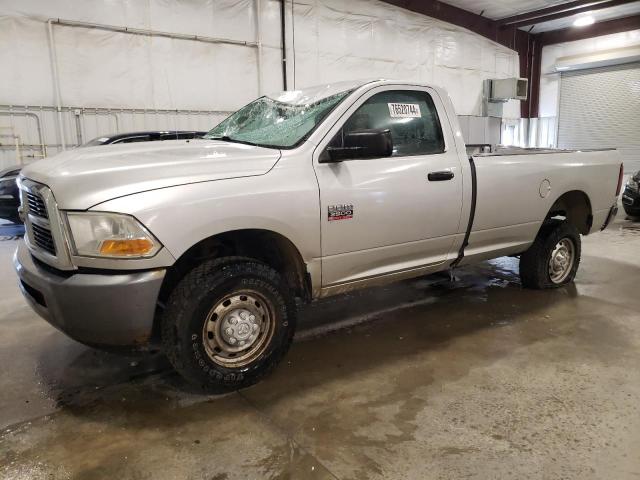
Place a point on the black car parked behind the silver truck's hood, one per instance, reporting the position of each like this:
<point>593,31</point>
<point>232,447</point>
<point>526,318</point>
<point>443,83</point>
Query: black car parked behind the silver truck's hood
<point>10,198</point>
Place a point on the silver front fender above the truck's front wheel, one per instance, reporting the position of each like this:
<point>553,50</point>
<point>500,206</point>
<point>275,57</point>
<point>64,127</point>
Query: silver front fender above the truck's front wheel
<point>184,215</point>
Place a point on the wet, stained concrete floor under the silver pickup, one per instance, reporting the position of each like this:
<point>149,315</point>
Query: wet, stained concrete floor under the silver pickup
<point>420,380</point>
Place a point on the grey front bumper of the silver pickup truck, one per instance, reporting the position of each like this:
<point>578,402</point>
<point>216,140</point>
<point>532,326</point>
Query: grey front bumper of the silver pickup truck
<point>115,310</point>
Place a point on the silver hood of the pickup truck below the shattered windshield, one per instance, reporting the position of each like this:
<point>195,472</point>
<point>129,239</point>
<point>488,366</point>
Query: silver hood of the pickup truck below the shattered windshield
<point>84,177</point>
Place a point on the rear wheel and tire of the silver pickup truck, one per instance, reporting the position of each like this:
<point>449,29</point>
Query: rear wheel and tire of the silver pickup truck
<point>553,258</point>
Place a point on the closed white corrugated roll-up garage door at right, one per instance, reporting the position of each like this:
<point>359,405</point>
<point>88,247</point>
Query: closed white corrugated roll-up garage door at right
<point>600,108</point>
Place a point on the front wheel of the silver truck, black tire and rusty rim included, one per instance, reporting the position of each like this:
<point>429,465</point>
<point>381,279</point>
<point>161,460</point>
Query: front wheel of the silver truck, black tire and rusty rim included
<point>228,323</point>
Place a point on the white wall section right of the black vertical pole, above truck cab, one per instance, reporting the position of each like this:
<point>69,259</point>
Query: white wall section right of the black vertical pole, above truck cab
<point>360,39</point>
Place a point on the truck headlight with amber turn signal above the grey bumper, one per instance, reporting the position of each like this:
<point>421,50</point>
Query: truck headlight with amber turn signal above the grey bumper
<point>95,234</point>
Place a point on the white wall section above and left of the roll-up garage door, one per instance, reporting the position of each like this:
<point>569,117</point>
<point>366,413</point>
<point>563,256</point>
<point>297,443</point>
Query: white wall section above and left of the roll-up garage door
<point>550,80</point>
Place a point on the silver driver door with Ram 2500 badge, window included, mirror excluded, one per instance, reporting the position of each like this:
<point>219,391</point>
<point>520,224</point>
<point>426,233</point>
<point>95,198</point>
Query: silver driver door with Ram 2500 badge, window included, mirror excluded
<point>384,216</point>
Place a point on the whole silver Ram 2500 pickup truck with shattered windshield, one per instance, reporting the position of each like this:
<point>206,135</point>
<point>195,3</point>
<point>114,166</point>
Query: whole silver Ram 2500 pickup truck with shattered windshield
<point>204,245</point>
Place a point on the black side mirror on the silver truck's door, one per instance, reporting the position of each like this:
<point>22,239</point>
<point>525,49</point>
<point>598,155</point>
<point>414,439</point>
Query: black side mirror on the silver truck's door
<point>371,143</point>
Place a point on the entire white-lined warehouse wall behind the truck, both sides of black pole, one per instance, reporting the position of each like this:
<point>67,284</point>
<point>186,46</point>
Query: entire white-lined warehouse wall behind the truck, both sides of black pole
<point>328,40</point>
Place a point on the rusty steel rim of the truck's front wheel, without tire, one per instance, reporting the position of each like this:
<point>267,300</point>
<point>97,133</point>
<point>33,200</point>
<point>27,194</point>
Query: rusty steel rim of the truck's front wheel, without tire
<point>238,329</point>
